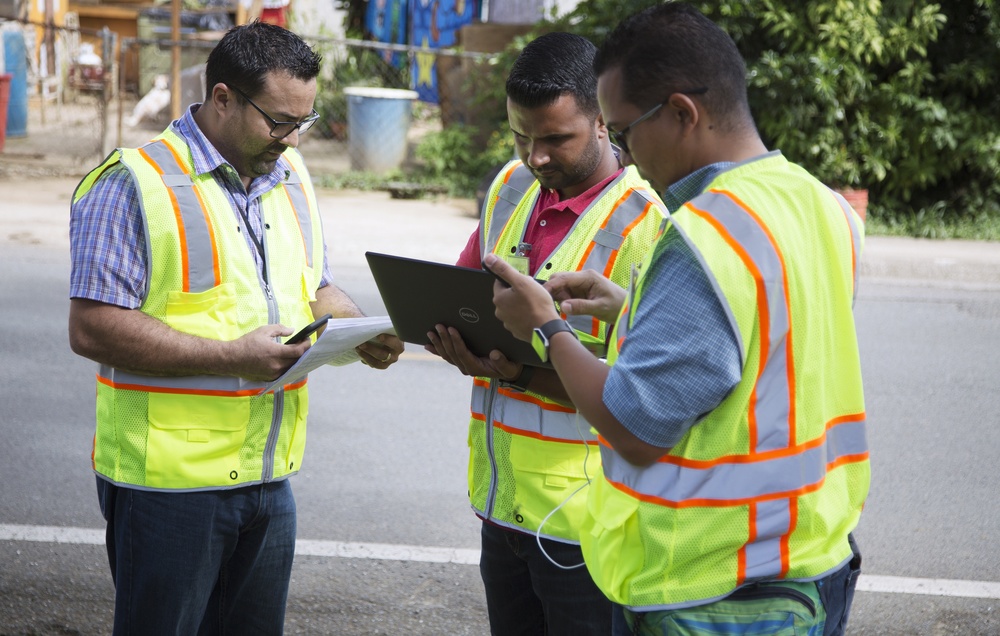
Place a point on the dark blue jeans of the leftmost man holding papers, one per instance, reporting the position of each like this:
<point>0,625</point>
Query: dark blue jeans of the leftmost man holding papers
<point>207,563</point>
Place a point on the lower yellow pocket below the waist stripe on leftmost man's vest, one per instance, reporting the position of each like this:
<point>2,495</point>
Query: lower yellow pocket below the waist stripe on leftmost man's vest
<point>195,440</point>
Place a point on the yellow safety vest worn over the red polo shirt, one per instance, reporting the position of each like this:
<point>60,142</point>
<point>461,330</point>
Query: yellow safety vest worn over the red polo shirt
<point>527,453</point>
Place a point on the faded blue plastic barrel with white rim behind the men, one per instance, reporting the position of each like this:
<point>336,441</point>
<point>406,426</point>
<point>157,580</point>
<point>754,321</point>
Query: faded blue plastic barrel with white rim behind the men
<point>378,120</point>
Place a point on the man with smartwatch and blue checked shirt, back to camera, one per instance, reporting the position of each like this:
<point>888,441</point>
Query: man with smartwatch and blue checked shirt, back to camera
<point>730,411</point>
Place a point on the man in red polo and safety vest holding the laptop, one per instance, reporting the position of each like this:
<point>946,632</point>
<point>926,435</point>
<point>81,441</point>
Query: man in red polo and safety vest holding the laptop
<point>566,205</point>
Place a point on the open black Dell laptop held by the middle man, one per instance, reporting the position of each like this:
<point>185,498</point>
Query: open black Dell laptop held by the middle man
<point>420,294</point>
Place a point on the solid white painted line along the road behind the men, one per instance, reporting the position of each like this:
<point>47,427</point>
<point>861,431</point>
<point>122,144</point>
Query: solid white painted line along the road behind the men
<point>426,554</point>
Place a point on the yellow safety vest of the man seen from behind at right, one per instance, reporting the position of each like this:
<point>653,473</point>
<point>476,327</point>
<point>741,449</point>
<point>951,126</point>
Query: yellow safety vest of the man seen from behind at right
<point>769,484</point>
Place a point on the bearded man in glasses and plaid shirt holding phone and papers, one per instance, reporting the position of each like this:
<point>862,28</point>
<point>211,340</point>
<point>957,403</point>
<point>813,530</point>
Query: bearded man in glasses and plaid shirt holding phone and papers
<point>194,257</point>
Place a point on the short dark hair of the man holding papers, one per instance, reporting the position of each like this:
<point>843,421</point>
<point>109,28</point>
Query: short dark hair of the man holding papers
<point>247,53</point>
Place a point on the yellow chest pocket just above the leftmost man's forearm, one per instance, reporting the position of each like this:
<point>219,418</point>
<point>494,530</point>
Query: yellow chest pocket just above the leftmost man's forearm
<point>210,314</point>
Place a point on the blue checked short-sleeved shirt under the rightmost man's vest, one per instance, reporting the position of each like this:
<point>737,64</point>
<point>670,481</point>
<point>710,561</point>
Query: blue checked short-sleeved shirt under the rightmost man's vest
<point>681,358</point>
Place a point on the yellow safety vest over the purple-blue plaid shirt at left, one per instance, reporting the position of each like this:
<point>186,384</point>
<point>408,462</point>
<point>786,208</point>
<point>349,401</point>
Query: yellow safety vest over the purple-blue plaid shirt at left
<point>209,432</point>
